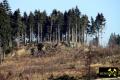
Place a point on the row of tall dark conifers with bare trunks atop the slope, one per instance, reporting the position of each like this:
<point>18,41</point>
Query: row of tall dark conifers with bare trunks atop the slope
<point>69,26</point>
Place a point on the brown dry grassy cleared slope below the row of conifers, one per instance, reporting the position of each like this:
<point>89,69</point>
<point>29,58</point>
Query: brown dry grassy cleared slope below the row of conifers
<point>59,61</point>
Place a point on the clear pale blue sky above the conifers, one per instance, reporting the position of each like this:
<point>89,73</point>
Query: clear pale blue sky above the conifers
<point>109,8</point>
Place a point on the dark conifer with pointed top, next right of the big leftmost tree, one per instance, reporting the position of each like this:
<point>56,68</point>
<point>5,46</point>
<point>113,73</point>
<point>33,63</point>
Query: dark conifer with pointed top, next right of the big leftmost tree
<point>18,27</point>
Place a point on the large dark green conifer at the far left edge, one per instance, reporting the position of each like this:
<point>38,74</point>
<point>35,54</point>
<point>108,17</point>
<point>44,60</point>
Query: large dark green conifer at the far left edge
<point>5,29</point>
